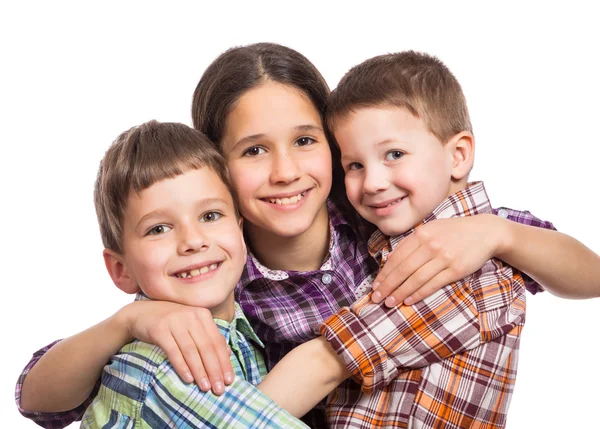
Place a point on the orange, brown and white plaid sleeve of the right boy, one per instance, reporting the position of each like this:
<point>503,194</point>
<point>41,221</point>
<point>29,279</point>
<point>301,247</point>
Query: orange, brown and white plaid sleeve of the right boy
<point>377,343</point>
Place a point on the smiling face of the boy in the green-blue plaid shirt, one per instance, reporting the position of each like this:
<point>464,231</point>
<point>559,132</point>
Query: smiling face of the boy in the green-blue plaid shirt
<point>183,243</point>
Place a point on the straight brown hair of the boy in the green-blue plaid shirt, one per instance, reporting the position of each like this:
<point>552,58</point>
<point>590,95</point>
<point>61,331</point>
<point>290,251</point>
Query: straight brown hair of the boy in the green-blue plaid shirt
<point>139,158</point>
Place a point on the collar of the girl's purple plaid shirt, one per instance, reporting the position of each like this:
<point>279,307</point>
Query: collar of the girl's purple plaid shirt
<point>254,269</point>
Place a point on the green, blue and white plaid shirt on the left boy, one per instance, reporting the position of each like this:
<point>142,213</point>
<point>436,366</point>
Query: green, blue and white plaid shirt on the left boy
<point>141,389</point>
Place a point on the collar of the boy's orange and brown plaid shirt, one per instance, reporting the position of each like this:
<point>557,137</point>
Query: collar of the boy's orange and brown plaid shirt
<point>470,201</point>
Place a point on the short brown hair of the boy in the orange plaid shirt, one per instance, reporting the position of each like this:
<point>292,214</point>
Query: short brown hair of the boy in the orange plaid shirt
<point>415,81</point>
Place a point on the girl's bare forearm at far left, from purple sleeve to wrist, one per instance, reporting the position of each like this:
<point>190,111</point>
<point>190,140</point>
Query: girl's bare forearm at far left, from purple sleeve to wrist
<point>65,376</point>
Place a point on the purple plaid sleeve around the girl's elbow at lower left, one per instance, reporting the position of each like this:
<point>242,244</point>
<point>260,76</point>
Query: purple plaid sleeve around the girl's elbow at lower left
<point>49,420</point>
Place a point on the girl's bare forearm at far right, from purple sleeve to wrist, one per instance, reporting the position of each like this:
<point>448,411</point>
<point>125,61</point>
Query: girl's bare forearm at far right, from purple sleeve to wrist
<point>560,263</point>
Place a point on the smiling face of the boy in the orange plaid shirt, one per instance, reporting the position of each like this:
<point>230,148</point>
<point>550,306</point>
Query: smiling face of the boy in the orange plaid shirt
<point>397,172</point>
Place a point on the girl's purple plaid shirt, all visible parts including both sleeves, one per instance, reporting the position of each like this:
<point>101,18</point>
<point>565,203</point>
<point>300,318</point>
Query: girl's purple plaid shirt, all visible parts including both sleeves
<point>286,308</point>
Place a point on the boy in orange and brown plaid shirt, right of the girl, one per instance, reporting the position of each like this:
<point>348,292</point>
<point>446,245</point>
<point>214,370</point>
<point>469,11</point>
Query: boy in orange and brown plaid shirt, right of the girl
<point>402,124</point>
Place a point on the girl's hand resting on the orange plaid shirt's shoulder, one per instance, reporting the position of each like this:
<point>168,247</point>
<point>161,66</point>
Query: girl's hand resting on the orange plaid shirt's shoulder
<point>436,254</point>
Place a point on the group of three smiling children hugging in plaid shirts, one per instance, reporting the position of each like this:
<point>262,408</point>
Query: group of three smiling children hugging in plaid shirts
<point>170,202</point>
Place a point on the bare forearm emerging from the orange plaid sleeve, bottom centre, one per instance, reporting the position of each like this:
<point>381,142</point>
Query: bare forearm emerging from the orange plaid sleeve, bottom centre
<point>305,376</point>
